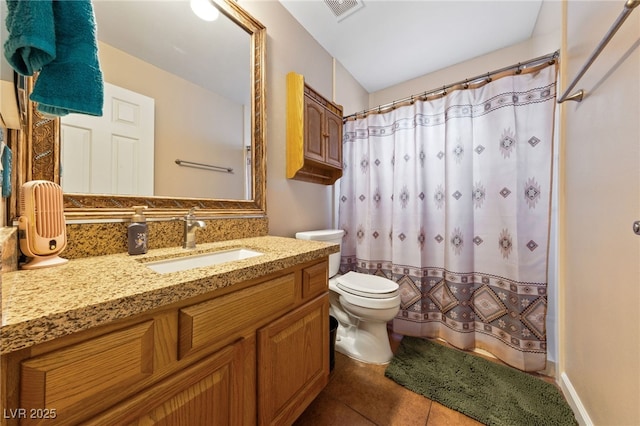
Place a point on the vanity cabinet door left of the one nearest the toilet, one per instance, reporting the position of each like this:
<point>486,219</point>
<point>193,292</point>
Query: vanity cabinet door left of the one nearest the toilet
<point>207,393</point>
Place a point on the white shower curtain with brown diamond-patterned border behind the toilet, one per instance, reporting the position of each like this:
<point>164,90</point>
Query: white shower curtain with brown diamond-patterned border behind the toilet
<point>450,198</point>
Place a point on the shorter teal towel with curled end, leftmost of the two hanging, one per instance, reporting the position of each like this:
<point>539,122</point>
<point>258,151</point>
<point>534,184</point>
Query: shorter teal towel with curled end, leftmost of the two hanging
<point>32,40</point>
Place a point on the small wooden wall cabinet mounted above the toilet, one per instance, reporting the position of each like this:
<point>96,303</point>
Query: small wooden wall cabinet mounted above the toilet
<point>314,134</point>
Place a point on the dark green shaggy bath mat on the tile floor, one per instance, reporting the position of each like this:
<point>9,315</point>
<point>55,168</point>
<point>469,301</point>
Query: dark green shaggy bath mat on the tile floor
<point>491,393</point>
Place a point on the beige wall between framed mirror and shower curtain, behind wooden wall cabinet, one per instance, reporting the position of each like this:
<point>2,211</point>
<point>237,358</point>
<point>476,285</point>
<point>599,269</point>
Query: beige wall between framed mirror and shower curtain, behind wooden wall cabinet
<point>293,205</point>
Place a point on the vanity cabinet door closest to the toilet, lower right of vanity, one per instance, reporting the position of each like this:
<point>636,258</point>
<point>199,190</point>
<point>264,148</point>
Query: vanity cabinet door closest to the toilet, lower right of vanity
<point>293,362</point>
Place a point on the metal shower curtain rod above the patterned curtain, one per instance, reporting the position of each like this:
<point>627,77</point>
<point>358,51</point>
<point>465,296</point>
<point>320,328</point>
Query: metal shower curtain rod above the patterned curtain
<point>464,84</point>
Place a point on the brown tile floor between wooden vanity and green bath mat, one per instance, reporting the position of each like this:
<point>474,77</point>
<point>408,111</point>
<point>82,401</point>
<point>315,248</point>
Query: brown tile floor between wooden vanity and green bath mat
<point>359,394</point>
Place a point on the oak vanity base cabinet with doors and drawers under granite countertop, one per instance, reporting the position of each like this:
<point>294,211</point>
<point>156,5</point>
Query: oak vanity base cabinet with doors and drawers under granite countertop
<point>253,353</point>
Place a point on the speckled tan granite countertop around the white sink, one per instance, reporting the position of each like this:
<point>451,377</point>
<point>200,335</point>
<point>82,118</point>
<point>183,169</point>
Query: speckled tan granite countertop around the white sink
<point>43,304</point>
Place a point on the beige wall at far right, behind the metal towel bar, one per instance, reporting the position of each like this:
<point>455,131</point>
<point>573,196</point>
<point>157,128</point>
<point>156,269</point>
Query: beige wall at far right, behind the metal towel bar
<point>600,255</point>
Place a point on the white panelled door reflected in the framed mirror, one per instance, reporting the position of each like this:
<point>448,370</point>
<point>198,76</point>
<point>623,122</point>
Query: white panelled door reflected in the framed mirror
<point>112,154</point>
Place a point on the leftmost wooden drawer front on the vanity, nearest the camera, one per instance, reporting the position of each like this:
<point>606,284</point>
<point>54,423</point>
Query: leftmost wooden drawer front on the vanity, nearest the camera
<point>75,381</point>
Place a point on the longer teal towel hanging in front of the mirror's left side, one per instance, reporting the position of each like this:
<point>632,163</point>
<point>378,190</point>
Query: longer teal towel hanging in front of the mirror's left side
<point>72,81</point>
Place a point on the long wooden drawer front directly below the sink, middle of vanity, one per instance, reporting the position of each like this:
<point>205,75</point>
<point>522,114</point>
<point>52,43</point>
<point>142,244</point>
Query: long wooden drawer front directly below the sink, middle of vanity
<point>209,322</point>
